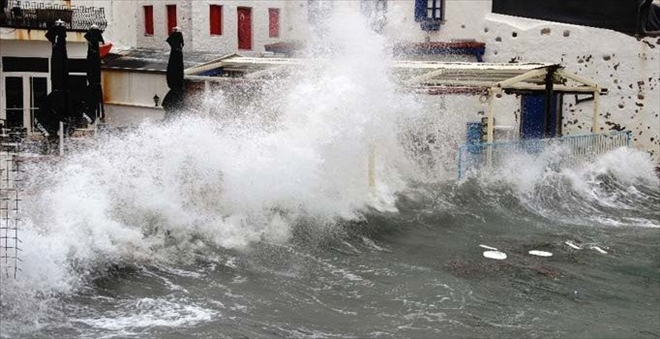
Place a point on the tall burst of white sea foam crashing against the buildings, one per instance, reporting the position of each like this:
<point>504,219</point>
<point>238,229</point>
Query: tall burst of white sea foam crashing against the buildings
<point>230,173</point>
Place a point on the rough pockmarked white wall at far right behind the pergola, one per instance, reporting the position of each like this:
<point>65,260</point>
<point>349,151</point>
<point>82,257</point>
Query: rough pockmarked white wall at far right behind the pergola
<point>629,68</point>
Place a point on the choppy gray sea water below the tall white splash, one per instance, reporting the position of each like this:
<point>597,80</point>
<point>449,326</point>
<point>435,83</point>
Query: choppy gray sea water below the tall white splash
<point>418,272</point>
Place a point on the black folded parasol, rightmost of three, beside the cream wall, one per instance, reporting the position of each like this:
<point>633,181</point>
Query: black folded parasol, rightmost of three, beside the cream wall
<point>175,99</point>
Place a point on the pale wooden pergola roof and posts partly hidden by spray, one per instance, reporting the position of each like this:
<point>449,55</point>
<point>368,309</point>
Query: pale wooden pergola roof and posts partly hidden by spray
<point>429,77</point>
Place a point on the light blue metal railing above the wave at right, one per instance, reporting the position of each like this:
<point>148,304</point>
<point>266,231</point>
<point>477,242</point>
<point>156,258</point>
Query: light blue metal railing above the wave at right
<point>572,149</point>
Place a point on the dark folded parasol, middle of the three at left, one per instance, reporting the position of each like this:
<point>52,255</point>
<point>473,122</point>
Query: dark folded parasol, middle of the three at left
<point>94,95</point>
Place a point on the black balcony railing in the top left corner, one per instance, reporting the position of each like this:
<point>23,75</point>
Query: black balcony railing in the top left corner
<point>38,15</point>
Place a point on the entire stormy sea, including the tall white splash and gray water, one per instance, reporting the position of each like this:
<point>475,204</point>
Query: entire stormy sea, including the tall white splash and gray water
<point>255,218</point>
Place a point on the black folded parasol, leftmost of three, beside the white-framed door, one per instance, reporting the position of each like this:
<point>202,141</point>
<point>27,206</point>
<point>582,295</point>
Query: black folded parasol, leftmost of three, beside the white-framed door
<point>56,106</point>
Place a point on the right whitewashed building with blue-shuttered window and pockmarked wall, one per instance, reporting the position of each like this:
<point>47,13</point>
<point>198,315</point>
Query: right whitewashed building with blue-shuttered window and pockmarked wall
<point>622,56</point>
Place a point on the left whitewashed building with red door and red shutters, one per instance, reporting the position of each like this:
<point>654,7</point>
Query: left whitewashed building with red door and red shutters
<point>134,77</point>
